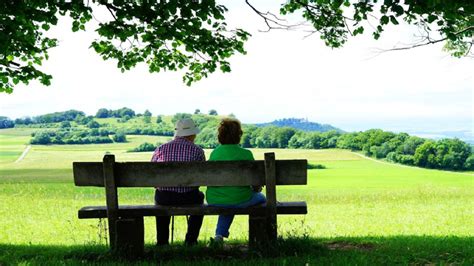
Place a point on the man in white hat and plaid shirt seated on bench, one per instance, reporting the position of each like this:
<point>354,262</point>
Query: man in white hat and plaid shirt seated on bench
<point>182,149</point>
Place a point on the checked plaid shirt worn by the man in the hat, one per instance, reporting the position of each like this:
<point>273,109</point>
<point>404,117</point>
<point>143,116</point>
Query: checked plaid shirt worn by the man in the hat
<point>178,150</point>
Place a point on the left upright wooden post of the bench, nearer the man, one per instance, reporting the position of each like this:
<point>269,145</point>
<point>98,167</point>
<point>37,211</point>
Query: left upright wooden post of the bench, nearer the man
<point>111,197</point>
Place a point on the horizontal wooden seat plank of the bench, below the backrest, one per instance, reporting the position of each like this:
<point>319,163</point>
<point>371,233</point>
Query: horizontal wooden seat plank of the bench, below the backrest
<point>158,210</point>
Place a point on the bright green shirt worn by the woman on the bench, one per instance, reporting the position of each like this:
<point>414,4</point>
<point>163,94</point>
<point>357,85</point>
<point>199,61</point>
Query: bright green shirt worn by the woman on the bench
<point>229,195</point>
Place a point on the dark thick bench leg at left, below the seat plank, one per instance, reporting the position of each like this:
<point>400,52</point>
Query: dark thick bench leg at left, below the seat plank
<point>130,237</point>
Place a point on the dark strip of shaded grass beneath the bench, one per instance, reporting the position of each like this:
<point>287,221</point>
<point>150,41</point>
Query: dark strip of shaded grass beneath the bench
<point>290,251</point>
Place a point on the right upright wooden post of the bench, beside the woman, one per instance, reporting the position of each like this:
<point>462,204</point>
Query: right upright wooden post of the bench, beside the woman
<point>270,181</point>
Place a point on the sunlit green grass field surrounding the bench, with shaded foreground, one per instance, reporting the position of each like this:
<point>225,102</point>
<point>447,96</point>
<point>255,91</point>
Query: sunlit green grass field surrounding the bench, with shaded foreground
<point>360,212</point>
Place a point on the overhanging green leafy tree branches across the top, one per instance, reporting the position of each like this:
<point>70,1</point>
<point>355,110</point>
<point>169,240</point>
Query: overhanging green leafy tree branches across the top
<point>193,35</point>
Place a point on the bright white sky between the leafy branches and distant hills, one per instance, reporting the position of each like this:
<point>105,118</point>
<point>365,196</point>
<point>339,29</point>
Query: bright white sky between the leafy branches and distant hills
<point>284,74</point>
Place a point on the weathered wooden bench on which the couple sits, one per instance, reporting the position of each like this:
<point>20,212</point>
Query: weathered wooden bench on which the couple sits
<point>126,230</point>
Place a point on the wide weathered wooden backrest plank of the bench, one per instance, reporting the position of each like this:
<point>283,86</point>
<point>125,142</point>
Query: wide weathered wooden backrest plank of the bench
<point>214,173</point>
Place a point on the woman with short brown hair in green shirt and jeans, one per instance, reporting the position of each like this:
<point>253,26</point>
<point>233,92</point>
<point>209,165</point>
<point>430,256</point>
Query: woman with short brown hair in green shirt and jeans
<point>229,134</point>
